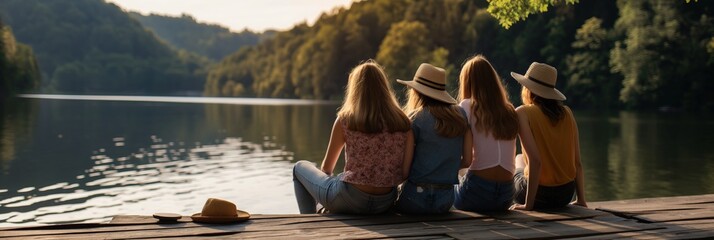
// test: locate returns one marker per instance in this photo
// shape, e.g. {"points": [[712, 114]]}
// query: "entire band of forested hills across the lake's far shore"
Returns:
{"points": [[625, 54]]}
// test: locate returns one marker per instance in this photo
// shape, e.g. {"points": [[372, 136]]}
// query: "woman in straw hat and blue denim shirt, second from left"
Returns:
{"points": [[442, 137]]}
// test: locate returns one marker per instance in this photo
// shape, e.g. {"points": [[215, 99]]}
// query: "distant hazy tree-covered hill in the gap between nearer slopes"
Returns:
{"points": [[209, 40]]}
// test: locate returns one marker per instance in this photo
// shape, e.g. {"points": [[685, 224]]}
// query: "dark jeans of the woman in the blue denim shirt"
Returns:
{"points": [[415, 199]]}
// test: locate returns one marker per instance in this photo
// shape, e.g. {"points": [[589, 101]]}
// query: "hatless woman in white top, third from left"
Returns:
{"points": [[488, 184]]}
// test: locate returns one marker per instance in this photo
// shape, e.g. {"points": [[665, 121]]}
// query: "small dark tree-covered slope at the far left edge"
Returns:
{"points": [[18, 67]]}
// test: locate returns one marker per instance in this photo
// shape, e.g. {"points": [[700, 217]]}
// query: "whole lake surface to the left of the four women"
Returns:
{"points": [[89, 161]]}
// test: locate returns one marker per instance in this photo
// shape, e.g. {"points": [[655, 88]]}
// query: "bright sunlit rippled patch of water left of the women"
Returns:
{"points": [[165, 177]]}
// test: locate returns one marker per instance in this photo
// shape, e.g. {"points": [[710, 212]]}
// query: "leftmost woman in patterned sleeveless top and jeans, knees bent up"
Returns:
{"points": [[378, 143]]}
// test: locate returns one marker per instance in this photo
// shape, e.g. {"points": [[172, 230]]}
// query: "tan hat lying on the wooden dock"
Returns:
{"points": [[220, 211]]}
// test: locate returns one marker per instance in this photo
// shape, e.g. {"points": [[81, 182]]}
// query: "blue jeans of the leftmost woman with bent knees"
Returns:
{"points": [[313, 186]]}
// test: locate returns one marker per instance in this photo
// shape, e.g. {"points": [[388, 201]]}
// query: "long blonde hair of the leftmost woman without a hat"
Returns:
{"points": [[370, 105]]}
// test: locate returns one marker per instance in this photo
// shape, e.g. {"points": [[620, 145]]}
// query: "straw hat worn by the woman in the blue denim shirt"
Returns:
{"points": [[430, 81]]}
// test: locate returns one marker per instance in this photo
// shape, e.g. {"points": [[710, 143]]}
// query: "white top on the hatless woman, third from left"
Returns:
{"points": [[487, 151]]}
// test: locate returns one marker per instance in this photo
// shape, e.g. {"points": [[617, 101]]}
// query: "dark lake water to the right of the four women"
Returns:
{"points": [[635, 155]]}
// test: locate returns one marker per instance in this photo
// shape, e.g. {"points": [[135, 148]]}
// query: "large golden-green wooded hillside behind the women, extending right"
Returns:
{"points": [[638, 54]]}
